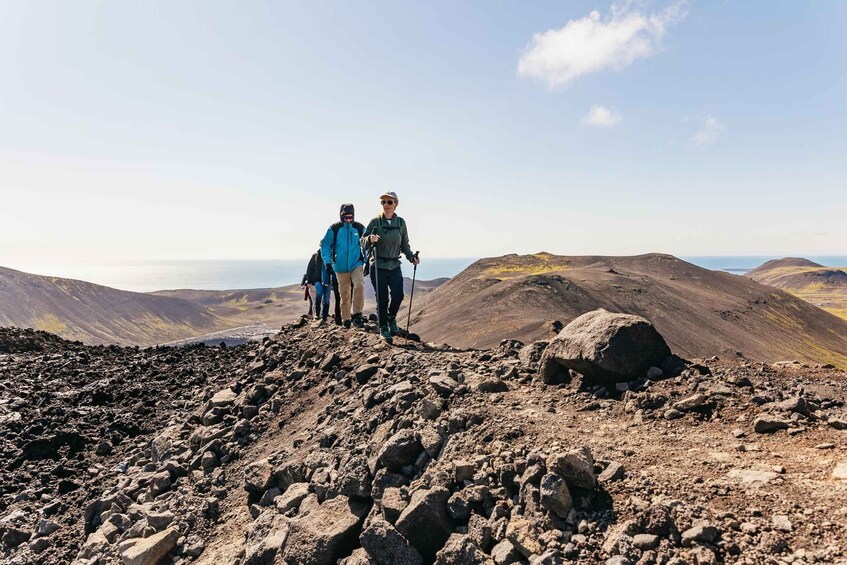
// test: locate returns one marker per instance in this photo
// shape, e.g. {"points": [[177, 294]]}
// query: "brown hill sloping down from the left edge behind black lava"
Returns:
{"points": [[98, 314]]}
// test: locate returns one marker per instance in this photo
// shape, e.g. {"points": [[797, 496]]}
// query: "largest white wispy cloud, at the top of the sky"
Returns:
{"points": [[592, 44]]}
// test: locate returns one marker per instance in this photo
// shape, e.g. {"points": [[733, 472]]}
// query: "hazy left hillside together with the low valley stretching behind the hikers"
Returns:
{"points": [[96, 314]]}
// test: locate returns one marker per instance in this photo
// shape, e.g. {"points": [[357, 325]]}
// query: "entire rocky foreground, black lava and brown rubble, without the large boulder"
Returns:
{"points": [[325, 444]]}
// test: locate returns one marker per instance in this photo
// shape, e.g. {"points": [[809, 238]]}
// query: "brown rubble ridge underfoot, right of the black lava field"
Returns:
{"points": [[329, 445]]}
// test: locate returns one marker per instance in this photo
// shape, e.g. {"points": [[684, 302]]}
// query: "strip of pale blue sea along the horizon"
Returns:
{"points": [[150, 276]]}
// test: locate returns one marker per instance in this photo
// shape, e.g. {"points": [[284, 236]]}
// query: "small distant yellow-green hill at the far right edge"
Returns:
{"points": [[825, 287]]}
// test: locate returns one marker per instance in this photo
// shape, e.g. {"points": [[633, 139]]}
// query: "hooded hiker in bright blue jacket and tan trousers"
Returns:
{"points": [[342, 255]]}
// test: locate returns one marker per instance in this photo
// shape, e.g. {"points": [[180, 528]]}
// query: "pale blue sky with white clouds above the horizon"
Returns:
{"points": [[198, 130]]}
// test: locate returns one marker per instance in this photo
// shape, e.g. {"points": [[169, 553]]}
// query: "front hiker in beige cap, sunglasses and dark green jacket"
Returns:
{"points": [[387, 236]]}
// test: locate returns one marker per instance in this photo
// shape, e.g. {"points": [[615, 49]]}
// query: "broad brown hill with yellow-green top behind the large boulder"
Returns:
{"points": [[698, 311]]}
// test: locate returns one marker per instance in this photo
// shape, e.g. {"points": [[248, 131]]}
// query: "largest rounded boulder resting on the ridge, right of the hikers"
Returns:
{"points": [[605, 347]]}
